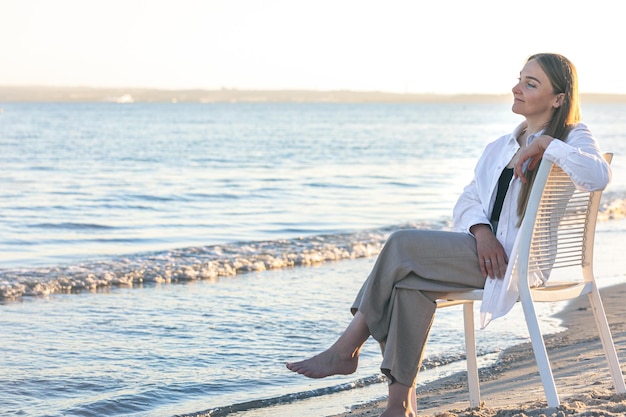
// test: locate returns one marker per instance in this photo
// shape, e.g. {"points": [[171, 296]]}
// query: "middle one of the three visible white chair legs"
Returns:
{"points": [[541, 355]]}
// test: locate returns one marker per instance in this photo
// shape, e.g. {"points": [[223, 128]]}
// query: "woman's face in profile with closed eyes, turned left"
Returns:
{"points": [[533, 95]]}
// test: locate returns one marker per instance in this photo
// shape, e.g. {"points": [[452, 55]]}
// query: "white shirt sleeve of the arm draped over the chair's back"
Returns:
{"points": [[579, 156]]}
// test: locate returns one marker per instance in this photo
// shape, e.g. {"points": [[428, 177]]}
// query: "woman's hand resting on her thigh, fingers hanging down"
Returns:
{"points": [[491, 255]]}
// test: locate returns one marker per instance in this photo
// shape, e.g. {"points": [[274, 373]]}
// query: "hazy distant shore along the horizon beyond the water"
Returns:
{"points": [[144, 95]]}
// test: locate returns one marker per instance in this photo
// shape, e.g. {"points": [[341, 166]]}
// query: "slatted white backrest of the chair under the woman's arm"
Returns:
{"points": [[559, 226]]}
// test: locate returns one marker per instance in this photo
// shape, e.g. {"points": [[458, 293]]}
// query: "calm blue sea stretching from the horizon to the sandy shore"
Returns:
{"points": [[168, 259]]}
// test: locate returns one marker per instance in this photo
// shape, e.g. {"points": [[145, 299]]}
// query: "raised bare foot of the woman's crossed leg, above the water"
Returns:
{"points": [[326, 364]]}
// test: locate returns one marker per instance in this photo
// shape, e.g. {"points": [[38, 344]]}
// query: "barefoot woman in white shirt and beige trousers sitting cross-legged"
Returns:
{"points": [[396, 304]]}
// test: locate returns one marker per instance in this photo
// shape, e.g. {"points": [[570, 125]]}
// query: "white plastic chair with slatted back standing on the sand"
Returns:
{"points": [[557, 232]]}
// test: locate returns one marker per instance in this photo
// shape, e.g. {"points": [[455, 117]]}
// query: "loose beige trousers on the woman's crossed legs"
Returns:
{"points": [[398, 297]]}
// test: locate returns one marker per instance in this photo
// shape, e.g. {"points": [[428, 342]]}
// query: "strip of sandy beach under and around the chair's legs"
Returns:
{"points": [[512, 387]]}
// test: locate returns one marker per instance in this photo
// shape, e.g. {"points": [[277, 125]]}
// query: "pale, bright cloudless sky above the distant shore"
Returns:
{"points": [[416, 46]]}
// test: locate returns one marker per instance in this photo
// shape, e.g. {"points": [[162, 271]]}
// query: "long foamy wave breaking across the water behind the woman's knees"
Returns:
{"points": [[217, 261]]}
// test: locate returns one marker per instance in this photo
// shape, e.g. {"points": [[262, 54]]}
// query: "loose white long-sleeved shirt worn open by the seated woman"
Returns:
{"points": [[579, 156]]}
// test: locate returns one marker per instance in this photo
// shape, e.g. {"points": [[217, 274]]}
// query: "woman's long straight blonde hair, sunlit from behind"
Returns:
{"points": [[564, 80]]}
